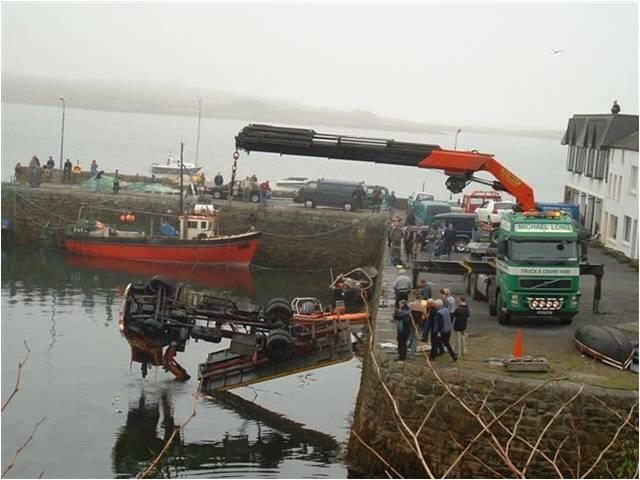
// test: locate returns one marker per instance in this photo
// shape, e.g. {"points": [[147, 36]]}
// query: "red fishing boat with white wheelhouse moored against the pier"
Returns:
{"points": [[197, 242]]}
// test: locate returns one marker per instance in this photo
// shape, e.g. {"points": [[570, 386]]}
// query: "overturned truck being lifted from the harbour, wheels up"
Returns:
{"points": [[159, 317]]}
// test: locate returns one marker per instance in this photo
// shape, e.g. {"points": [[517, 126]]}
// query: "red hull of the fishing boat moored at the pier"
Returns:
{"points": [[233, 249]]}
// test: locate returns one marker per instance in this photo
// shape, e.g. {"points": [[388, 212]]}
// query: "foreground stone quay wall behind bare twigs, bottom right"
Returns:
{"points": [[581, 430]]}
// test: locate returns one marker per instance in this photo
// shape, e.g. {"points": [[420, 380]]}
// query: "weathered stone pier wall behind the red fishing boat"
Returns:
{"points": [[293, 237]]}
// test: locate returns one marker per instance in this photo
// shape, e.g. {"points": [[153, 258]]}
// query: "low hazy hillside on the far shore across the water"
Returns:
{"points": [[176, 100]]}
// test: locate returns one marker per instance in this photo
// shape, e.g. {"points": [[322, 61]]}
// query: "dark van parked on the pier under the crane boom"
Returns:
{"points": [[330, 193]]}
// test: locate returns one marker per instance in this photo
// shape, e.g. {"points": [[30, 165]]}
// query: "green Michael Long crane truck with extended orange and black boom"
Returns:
{"points": [[535, 267]]}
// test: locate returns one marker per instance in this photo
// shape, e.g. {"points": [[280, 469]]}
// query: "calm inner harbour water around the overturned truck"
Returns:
{"points": [[104, 420]]}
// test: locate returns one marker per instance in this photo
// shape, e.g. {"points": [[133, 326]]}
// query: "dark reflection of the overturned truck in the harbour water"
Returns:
{"points": [[150, 422]]}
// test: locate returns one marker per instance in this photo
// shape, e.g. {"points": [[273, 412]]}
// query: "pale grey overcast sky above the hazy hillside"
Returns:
{"points": [[473, 63]]}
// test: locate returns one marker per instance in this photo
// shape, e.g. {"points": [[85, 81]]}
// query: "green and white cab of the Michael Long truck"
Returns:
{"points": [[537, 267]]}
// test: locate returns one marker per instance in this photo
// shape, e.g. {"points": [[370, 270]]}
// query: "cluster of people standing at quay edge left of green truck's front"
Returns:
{"points": [[418, 315]]}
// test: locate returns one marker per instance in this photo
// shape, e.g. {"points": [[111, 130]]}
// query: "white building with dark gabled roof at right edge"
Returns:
{"points": [[602, 161]]}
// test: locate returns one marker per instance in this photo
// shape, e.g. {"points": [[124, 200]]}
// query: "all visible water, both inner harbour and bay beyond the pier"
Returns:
{"points": [[103, 419]]}
